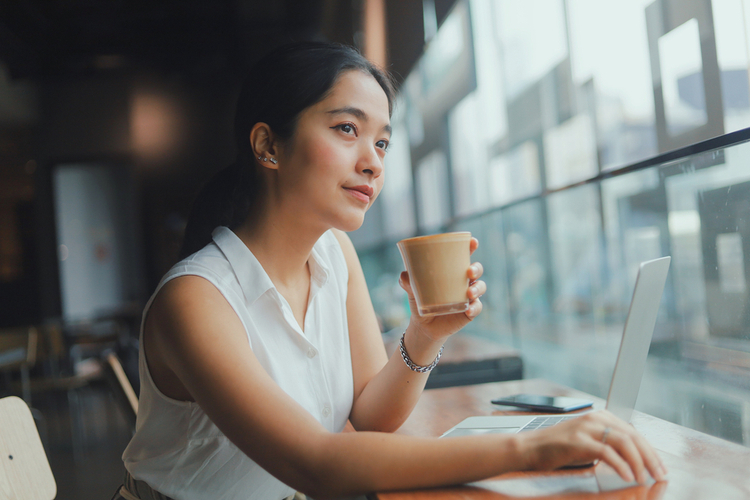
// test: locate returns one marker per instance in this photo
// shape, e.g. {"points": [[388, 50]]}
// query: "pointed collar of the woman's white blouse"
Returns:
{"points": [[251, 276]]}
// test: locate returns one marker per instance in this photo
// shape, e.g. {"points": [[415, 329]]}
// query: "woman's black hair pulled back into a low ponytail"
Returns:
{"points": [[279, 87]]}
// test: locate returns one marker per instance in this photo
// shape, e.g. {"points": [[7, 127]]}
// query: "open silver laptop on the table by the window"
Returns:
{"points": [[631, 361]]}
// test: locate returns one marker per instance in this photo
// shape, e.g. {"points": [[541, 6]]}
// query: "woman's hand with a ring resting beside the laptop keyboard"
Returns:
{"points": [[594, 436]]}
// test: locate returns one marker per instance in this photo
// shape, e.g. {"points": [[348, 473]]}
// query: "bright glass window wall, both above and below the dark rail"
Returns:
{"points": [[563, 90]]}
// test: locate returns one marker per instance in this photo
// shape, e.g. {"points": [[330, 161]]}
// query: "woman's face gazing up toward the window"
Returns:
{"points": [[332, 169]]}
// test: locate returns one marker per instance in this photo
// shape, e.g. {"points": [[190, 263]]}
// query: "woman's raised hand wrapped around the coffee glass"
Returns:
{"points": [[439, 327]]}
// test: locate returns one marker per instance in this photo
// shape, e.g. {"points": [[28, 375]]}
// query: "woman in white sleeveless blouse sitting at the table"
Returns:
{"points": [[259, 346]]}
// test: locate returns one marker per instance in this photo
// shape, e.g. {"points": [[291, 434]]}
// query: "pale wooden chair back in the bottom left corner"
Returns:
{"points": [[24, 470]]}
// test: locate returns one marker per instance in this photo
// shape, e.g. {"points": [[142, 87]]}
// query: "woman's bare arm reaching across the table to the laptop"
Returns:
{"points": [[196, 334]]}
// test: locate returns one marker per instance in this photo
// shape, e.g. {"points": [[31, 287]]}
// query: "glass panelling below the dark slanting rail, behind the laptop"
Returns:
{"points": [[560, 268]]}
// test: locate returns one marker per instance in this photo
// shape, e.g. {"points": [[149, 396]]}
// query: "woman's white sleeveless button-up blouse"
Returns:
{"points": [[176, 448]]}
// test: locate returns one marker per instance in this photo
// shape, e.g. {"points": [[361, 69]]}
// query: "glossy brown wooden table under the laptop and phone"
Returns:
{"points": [[700, 466]]}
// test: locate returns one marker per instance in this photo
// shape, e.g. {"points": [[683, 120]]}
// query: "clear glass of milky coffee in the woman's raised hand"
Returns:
{"points": [[438, 268]]}
